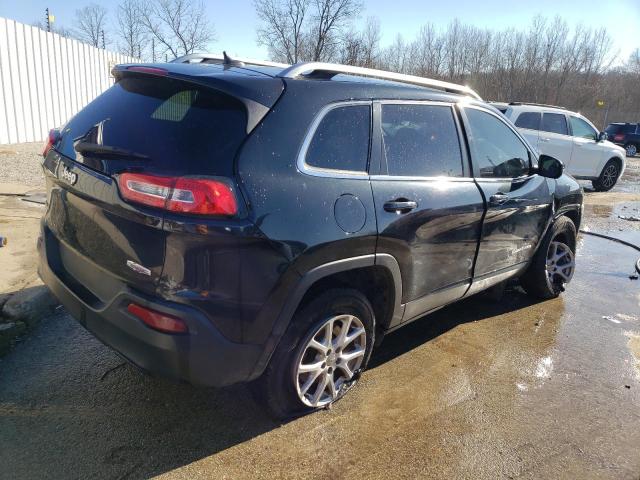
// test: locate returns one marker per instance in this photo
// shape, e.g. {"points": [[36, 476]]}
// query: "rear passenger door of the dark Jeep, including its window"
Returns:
{"points": [[428, 207]]}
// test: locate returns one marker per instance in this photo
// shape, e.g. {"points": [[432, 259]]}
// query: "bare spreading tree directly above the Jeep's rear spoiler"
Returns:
{"points": [[180, 26]]}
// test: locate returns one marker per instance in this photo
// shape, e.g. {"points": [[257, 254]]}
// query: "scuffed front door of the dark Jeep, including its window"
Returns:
{"points": [[518, 204]]}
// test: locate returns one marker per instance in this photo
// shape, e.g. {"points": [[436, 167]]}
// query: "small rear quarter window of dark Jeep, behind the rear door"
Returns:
{"points": [[341, 141]]}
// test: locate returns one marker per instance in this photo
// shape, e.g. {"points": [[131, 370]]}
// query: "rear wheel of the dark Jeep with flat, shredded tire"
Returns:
{"points": [[302, 377]]}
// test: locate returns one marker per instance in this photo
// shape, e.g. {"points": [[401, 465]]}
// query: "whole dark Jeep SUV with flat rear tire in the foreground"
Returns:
{"points": [[226, 221]]}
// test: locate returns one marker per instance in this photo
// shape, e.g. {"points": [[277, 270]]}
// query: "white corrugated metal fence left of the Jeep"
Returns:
{"points": [[45, 79]]}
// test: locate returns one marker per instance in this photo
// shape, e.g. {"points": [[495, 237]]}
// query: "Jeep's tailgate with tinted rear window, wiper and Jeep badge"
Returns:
{"points": [[143, 124]]}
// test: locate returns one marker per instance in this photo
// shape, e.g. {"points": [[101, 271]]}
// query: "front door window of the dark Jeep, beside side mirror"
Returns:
{"points": [[495, 148]]}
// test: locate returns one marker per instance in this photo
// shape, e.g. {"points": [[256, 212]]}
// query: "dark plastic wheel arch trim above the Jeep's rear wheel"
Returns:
{"points": [[371, 274]]}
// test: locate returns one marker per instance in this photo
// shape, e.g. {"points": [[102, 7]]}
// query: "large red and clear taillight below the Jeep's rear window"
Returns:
{"points": [[201, 196]]}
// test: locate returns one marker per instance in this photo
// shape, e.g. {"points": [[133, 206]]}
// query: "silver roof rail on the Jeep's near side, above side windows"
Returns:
{"points": [[328, 70]]}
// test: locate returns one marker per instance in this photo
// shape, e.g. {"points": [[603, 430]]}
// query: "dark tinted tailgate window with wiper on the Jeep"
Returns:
{"points": [[159, 124]]}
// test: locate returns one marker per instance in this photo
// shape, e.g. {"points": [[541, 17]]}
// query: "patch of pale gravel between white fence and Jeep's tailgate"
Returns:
{"points": [[20, 163]]}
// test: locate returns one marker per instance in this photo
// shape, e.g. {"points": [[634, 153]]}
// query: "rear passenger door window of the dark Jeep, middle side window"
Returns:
{"points": [[421, 140]]}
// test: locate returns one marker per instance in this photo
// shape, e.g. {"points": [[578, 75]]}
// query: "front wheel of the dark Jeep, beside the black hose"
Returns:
{"points": [[553, 264]]}
